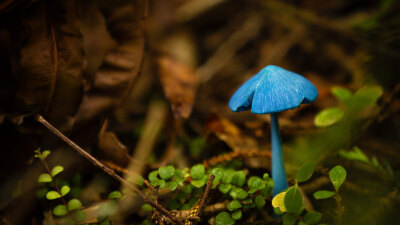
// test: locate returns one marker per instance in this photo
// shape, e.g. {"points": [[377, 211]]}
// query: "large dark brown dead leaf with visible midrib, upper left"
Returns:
{"points": [[52, 59]]}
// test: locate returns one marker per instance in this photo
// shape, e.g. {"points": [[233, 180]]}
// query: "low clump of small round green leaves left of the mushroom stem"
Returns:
{"points": [[190, 190]]}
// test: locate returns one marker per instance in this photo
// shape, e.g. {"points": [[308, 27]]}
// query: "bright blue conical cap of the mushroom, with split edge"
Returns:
{"points": [[271, 90]]}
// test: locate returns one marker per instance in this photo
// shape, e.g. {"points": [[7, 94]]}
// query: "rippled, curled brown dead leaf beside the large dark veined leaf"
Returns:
{"points": [[111, 84]]}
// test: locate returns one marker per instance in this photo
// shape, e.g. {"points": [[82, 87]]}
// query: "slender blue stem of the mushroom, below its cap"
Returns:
{"points": [[278, 166]]}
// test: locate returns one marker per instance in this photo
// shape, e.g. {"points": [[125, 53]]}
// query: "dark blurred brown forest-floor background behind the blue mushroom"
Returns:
{"points": [[149, 81]]}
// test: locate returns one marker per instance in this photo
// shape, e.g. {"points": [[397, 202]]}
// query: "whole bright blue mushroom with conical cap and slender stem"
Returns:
{"points": [[270, 91]]}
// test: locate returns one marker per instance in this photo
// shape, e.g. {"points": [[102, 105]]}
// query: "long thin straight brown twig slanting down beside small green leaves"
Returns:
{"points": [[109, 171]]}
